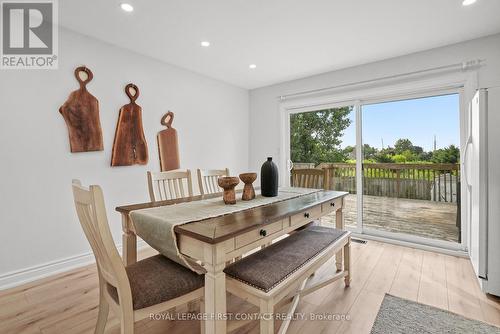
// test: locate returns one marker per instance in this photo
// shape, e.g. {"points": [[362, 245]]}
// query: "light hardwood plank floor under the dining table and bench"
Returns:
{"points": [[67, 303]]}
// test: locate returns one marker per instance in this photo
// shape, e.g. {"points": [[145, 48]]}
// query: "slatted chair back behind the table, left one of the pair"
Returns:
{"points": [[170, 185]]}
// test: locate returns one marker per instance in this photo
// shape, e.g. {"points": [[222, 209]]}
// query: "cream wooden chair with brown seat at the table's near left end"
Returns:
{"points": [[134, 292]]}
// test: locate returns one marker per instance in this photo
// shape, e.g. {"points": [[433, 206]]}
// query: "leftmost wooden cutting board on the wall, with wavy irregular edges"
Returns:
{"points": [[81, 114]]}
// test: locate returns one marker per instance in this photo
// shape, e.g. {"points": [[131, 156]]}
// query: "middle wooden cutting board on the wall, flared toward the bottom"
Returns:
{"points": [[129, 146]]}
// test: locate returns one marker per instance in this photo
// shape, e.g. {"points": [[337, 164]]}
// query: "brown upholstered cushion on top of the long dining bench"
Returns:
{"points": [[269, 267]]}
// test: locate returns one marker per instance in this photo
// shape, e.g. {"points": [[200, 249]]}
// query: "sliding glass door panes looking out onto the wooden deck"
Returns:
{"points": [[397, 159]]}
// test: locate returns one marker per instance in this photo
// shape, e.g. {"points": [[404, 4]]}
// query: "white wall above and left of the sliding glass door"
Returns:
{"points": [[264, 113]]}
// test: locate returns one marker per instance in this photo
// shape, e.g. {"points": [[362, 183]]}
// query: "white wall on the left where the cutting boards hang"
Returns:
{"points": [[37, 217]]}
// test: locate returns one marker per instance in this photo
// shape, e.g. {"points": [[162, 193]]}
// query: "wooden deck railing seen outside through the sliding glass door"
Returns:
{"points": [[434, 182]]}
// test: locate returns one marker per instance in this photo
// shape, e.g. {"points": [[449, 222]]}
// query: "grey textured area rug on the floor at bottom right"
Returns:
{"points": [[398, 315]]}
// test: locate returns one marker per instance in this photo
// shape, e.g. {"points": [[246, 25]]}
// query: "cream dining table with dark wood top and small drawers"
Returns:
{"points": [[216, 241]]}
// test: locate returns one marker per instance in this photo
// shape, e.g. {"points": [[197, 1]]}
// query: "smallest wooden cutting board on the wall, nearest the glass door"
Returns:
{"points": [[168, 148]]}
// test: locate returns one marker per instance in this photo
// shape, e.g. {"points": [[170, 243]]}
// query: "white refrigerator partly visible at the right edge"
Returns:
{"points": [[481, 169]]}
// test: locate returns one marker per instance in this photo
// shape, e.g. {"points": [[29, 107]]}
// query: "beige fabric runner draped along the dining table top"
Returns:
{"points": [[156, 225]]}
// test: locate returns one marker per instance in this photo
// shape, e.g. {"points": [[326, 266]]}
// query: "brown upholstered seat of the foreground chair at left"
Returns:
{"points": [[157, 279]]}
